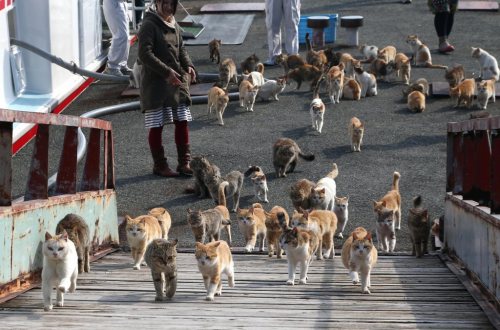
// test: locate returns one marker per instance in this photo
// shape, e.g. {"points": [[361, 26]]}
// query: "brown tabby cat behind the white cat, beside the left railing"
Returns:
{"points": [[78, 233]]}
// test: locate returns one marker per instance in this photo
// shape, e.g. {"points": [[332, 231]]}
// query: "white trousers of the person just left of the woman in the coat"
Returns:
{"points": [[115, 13]]}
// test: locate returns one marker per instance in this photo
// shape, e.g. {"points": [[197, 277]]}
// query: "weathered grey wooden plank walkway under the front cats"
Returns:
{"points": [[407, 293]]}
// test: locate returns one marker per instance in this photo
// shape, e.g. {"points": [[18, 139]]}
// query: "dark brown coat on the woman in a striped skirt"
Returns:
{"points": [[161, 48]]}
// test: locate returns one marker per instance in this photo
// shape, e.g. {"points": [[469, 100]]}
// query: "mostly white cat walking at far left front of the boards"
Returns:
{"points": [[60, 268]]}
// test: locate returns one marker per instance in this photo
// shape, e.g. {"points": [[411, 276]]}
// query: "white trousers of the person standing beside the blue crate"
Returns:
{"points": [[276, 12]]}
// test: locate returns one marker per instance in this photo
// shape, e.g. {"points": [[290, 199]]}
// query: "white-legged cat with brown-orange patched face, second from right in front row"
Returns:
{"points": [[299, 246]]}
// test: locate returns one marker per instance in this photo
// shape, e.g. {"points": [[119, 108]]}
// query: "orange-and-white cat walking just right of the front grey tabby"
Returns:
{"points": [[214, 259]]}
